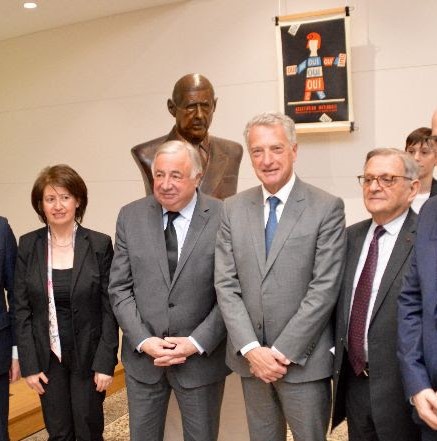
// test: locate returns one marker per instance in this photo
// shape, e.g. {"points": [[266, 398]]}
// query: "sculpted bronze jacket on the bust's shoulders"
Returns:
{"points": [[221, 174]]}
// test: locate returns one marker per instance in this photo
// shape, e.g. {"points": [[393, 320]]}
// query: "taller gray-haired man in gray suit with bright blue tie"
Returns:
{"points": [[279, 260]]}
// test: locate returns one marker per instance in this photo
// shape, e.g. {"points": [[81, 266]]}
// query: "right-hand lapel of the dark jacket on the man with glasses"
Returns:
{"points": [[401, 251]]}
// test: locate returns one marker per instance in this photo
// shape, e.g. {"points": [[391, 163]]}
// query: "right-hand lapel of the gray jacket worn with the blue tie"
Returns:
{"points": [[293, 209]]}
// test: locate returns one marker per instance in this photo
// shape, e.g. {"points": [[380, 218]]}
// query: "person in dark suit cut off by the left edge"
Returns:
{"points": [[9, 368]]}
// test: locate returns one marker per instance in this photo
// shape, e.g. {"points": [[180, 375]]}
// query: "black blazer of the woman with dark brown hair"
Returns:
{"points": [[95, 329]]}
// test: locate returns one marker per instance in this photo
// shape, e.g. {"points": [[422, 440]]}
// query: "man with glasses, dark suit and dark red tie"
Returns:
{"points": [[367, 383]]}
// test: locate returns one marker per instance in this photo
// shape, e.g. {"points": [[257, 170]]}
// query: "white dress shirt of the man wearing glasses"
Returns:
{"points": [[386, 244]]}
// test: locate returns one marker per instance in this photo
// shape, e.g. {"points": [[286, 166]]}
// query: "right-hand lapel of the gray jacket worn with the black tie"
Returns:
{"points": [[198, 221]]}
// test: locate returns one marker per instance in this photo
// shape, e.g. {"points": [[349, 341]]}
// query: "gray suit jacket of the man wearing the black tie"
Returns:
{"points": [[147, 304]]}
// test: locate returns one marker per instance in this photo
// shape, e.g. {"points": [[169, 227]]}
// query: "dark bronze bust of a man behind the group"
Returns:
{"points": [[192, 105]]}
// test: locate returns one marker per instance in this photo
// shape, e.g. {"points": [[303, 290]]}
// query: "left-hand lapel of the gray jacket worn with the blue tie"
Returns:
{"points": [[255, 222]]}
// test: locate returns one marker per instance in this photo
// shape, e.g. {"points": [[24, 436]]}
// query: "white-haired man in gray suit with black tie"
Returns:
{"points": [[162, 292]]}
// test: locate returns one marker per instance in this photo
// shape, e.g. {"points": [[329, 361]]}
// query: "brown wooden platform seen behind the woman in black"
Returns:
{"points": [[25, 415]]}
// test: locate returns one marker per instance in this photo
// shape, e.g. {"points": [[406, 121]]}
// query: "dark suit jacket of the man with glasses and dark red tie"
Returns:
{"points": [[390, 410]]}
